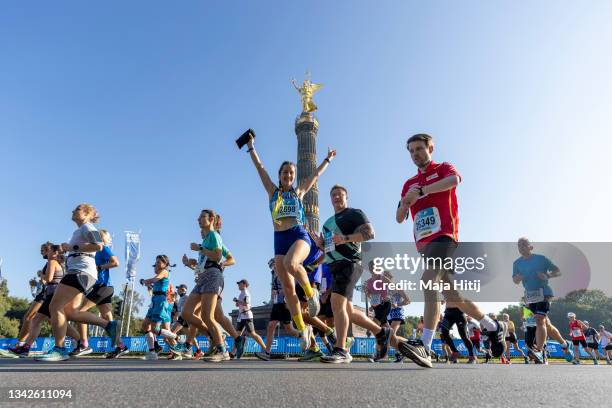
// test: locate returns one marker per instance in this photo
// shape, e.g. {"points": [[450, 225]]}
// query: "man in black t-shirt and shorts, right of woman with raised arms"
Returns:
{"points": [[341, 238]]}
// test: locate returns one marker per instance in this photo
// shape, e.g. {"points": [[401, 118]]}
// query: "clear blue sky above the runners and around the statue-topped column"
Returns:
{"points": [[134, 107]]}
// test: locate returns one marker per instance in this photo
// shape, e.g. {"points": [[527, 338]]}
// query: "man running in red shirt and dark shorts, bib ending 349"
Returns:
{"points": [[431, 199]]}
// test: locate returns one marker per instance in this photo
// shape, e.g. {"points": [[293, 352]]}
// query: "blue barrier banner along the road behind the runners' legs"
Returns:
{"points": [[363, 346]]}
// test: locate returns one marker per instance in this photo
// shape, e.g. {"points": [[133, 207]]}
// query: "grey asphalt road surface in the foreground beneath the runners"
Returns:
{"points": [[253, 383]]}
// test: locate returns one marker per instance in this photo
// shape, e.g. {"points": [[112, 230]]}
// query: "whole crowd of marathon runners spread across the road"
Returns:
{"points": [[314, 275]]}
